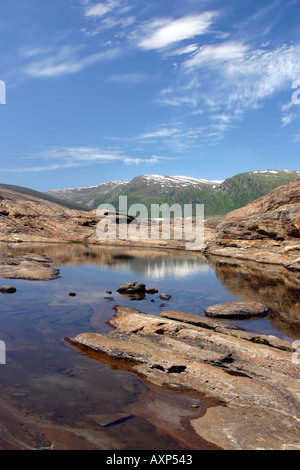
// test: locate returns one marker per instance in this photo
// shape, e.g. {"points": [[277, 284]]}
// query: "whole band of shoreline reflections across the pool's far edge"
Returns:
{"points": [[271, 285]]}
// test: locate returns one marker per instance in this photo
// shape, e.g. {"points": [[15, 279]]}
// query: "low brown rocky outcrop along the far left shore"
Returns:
{"points": [[25, 218]]}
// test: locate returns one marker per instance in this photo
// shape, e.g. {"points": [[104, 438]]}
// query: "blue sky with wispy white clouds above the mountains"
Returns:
{"points": [[106, 91]]}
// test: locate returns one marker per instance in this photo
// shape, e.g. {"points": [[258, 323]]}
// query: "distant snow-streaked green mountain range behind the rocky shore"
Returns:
{"points": [[219, 197]]}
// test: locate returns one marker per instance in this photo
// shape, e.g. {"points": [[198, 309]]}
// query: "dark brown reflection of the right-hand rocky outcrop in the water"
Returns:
{"points": [[271, 285]]}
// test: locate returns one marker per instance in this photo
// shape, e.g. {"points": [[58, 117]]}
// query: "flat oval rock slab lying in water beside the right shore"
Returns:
{"points": [[237, 311]]}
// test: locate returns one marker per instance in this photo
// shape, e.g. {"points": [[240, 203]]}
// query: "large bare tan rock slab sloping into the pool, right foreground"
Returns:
{"points": [[234, 368]]}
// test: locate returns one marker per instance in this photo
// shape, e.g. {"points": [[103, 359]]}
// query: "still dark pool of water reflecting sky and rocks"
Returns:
{"points": [[54, 396]]}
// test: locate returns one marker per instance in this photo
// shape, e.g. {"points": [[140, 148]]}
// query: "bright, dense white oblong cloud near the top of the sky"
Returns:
{"points": [[161, 33]]}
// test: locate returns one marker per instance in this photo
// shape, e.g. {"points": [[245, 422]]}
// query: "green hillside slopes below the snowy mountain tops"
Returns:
{"points": [[232, 194]]}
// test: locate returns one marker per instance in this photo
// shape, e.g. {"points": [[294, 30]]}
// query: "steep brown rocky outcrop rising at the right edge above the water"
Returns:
{"points": [[265, 231]]}
